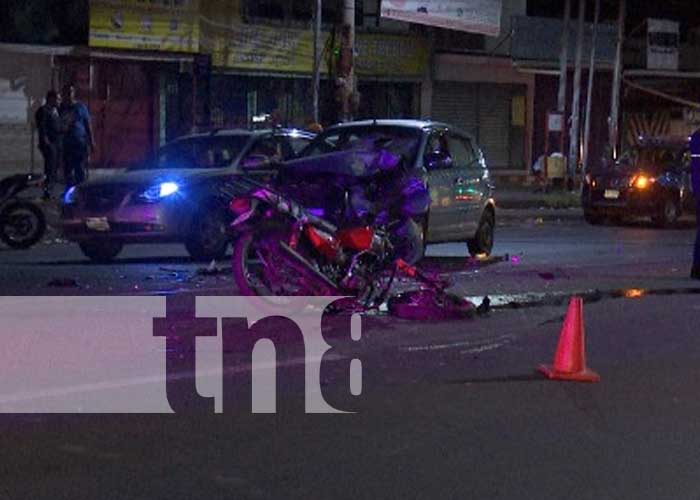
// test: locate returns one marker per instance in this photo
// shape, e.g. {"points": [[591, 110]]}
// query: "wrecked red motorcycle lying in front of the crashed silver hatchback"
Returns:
{"points": [[283, 248]]}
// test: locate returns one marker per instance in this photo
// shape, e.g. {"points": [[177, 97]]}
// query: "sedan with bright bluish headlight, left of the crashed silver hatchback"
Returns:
{"points": [[178, 195]]}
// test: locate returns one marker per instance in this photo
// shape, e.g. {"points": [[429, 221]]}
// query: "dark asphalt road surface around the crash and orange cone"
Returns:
{"points": [[447, 410]]}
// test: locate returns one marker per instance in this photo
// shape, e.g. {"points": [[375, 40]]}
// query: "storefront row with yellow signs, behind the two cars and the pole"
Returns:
{"points": [[155, 72]]}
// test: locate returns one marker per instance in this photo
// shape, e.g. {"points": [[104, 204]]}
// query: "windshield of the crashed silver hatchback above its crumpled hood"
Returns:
{"points": [[399, 140]]}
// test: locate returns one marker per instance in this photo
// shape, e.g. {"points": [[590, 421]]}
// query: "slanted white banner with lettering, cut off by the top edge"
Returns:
{"points": [[472, 16]]}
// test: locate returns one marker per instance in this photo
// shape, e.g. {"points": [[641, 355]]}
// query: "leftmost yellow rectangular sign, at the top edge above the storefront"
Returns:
{"points": [[164, 25]]}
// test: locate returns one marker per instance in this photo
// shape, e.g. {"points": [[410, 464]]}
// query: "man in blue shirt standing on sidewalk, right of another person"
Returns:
{"points": [[78, 139]]}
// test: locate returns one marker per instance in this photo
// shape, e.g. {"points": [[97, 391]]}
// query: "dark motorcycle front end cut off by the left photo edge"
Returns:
{"points": [[22, 222]]}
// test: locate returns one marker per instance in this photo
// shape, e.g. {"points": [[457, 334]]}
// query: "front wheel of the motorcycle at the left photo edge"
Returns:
{"points": [[22, 224]]}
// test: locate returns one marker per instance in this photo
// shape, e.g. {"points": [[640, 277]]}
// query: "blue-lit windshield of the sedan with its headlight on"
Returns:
{"points": [[198, 153]]}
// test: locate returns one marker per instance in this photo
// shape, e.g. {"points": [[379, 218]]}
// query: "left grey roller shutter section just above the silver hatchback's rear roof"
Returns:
{"points": [[456, 104]]}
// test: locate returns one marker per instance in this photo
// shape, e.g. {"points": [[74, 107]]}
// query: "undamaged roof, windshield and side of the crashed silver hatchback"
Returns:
{"points": [[452, 166]]}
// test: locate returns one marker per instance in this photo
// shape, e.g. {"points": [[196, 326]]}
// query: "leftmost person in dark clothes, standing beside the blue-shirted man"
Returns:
{"points": [[48, 124]]}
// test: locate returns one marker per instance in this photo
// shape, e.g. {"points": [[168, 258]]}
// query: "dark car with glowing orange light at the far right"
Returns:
{"points": [[650, 180]]}
